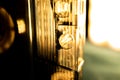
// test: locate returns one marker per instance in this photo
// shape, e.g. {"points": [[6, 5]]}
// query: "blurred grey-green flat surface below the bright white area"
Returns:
{"points": [[100, 63]]}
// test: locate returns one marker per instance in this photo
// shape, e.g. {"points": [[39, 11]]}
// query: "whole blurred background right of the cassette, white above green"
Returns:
{"points": [[102, 48]]}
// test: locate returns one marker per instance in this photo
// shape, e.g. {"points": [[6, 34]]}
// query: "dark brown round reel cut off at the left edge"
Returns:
{"points": [[7, 33]]}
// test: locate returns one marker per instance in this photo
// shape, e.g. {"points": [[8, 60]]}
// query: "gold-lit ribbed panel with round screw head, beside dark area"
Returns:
{"points": [[60, 31]]}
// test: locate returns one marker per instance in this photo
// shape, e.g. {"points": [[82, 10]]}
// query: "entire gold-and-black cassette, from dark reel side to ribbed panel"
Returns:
{"points": [[51, 31]]}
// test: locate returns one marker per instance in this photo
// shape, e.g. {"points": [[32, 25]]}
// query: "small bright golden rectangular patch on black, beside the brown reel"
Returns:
{"points": [[21, 26]]}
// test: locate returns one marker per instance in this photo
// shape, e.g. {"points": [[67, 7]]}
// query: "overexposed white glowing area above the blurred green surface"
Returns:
{"points": [[104, 22]]}
